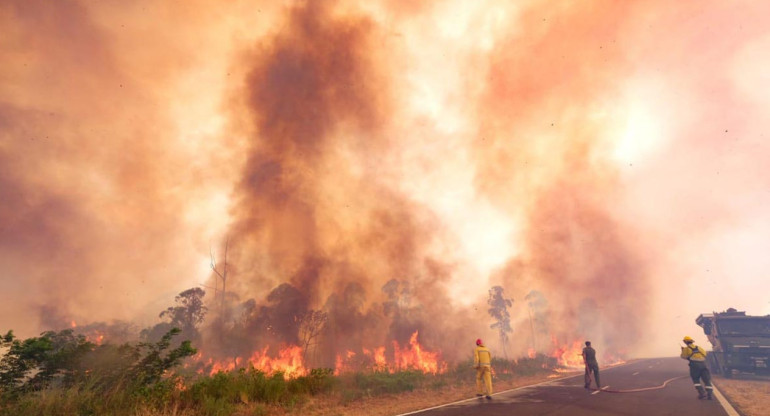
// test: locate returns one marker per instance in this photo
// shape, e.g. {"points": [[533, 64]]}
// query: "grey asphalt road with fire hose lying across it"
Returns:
{"points": [[664, 391]]}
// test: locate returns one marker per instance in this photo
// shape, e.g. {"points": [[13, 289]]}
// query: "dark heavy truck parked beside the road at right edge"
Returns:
{"points": [[741, 343]]}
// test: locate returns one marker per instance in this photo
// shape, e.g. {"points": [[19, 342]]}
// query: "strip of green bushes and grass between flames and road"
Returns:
{"points": [[60, 373]]}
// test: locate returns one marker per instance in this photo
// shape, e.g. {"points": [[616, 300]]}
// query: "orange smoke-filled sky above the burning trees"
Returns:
{"points": [[611, 155]]}
